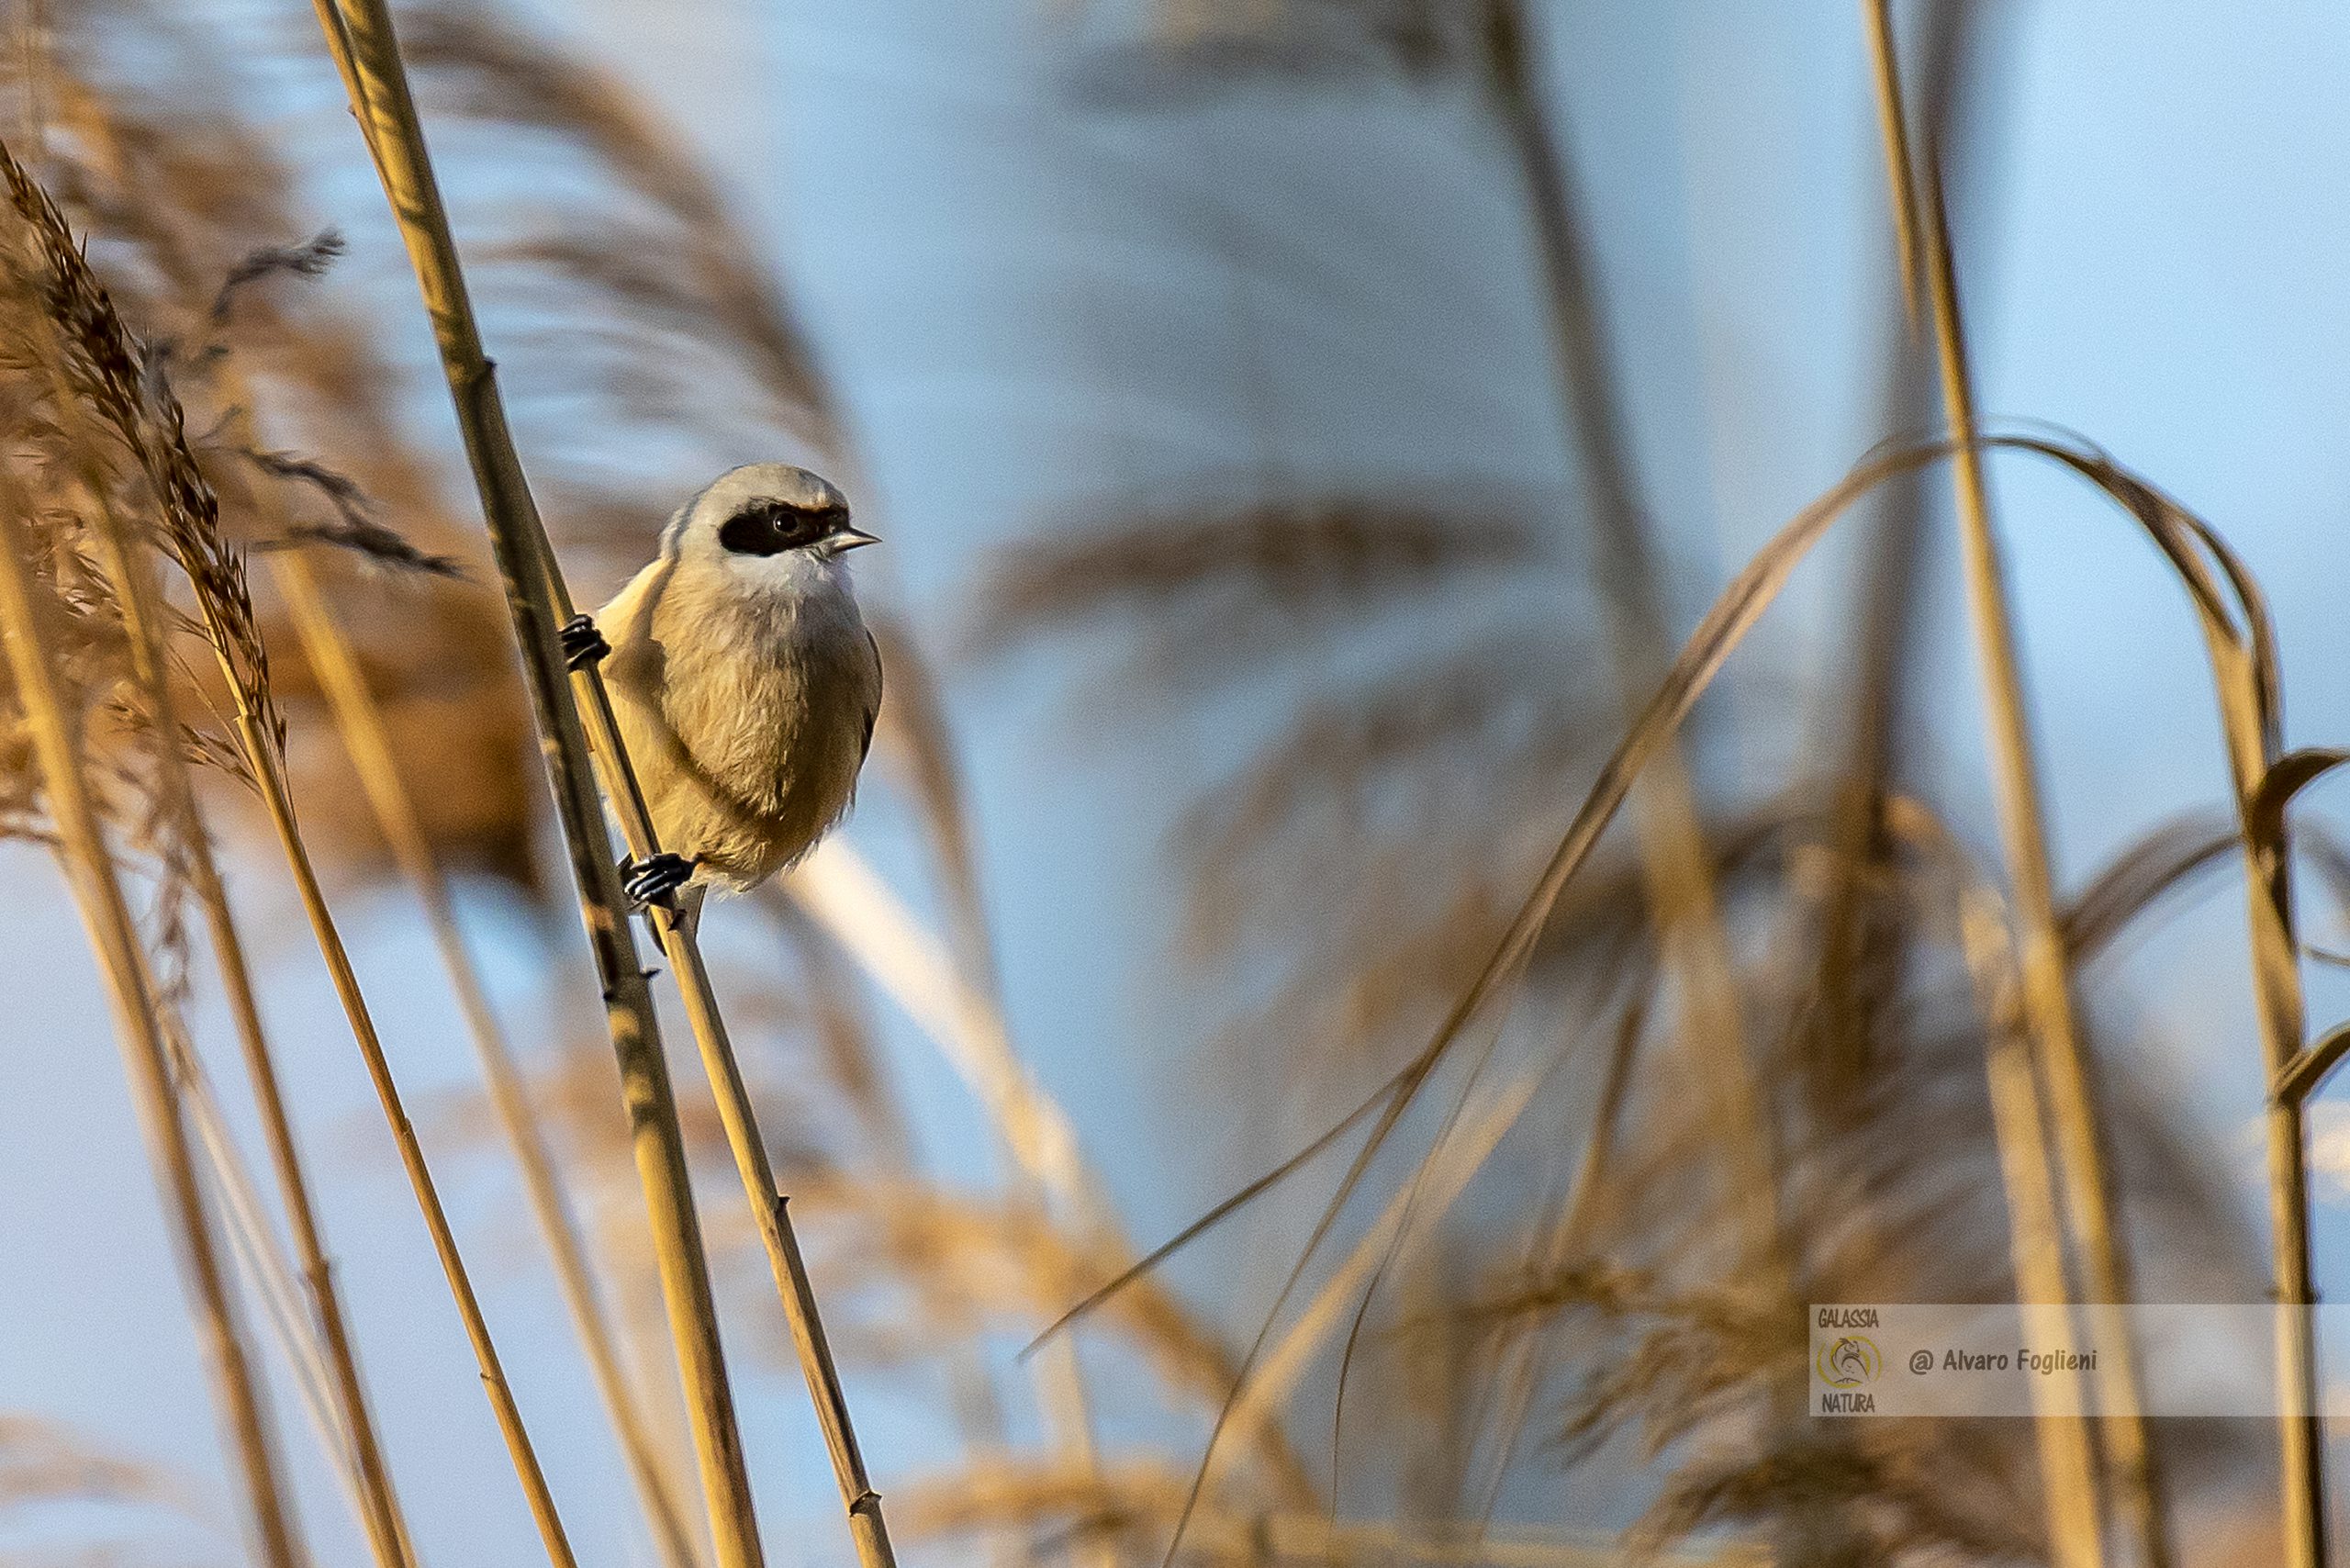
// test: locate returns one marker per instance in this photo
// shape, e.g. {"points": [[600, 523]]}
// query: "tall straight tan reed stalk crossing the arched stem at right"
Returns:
{"points": [[2048, 993]]}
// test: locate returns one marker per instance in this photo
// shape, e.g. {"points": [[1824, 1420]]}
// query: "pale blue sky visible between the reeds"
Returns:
{"points": [[1028, 304]]}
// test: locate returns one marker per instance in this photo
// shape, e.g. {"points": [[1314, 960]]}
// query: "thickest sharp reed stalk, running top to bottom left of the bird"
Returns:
{"points": [[368, 55]]}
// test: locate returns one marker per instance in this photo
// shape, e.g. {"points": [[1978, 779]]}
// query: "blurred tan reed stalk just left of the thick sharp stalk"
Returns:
{"points": [[365, 737]]}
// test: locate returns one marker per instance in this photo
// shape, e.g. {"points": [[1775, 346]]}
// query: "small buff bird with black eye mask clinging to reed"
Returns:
{"points": [[744, 681]]}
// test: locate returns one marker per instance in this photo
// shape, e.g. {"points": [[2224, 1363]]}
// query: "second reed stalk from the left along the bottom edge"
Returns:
{"points": [[135, 596]]}
